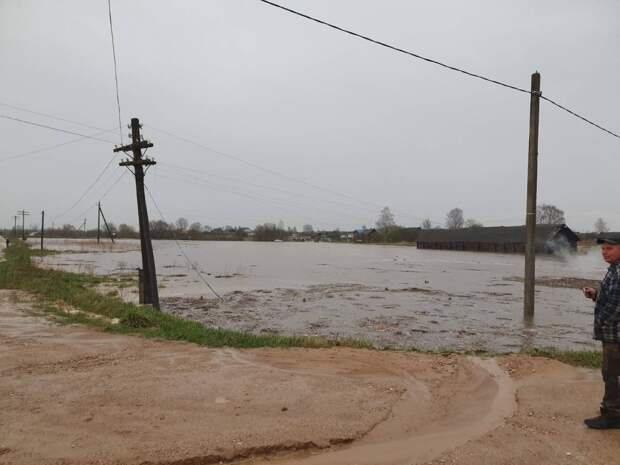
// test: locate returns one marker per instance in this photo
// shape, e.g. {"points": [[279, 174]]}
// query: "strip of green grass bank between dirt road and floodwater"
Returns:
{"points": [[59, 290]]}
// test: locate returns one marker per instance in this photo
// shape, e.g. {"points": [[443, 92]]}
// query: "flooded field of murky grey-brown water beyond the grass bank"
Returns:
{"points": [[390, 295]]}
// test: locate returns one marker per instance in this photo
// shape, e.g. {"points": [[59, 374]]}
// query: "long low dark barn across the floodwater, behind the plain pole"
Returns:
{"points": [[550, 238]]}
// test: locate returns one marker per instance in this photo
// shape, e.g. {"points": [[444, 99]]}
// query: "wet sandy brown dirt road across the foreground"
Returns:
{"points": [[72, 395]]}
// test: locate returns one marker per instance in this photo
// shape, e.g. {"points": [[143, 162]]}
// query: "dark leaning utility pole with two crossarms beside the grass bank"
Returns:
{"points": [[151, 295]]}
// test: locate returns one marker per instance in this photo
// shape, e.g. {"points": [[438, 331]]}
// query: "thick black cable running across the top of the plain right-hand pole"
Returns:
{"points": [[435, 62]]}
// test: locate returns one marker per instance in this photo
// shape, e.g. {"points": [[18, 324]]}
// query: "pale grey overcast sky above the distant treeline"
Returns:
{"points": [[320, 107]]}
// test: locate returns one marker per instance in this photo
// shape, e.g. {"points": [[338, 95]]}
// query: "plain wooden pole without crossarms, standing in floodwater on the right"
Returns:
{"points": [[530, 212]]}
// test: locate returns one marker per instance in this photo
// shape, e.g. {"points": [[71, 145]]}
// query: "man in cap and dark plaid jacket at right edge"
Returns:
{"points": [[606, 321]]}
